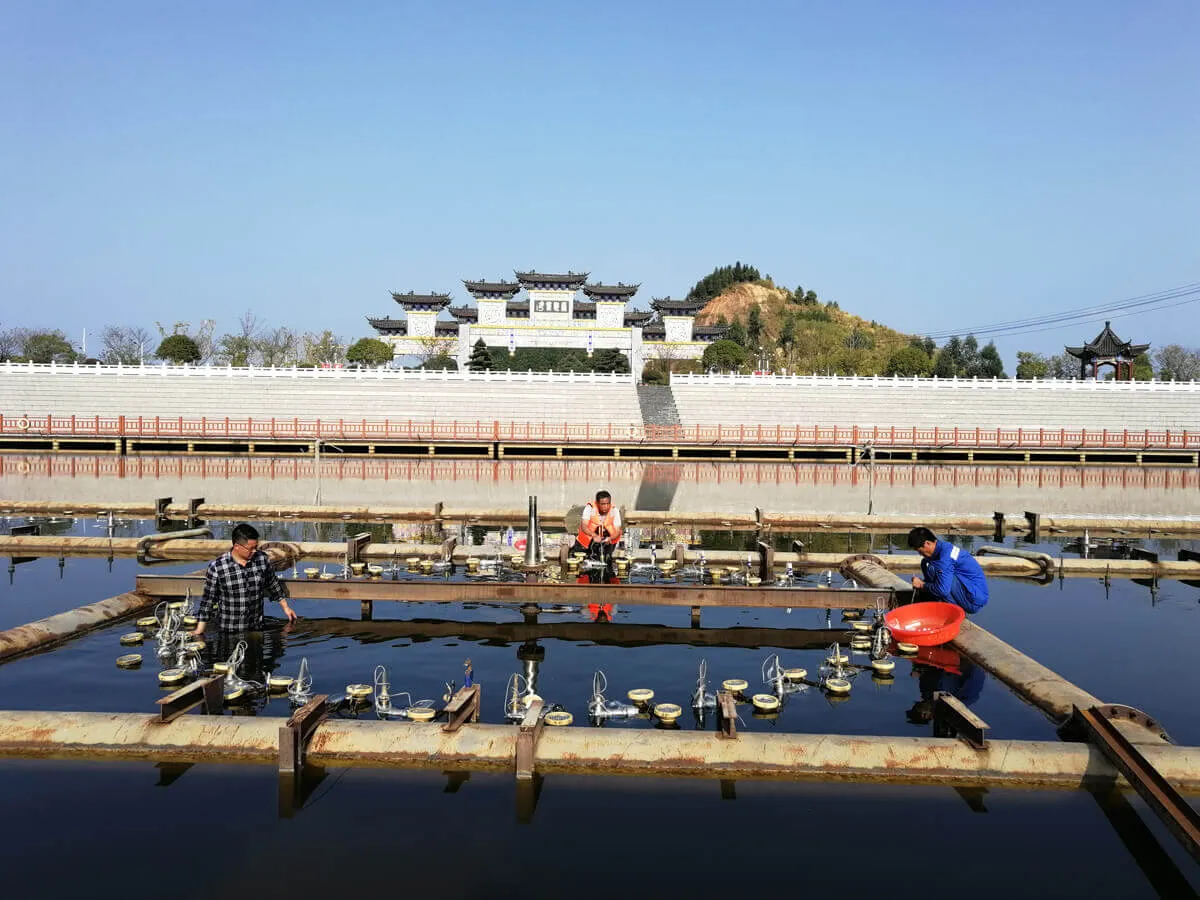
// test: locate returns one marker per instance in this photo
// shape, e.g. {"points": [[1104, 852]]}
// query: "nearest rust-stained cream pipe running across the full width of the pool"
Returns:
{"points": [[361, 743]]}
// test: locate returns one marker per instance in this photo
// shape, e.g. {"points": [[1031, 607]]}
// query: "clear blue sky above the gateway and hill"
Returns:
{"points": [[931, 165]]}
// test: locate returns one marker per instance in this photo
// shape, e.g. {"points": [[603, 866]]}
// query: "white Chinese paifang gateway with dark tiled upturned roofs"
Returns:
{"points": [[551, 316]]}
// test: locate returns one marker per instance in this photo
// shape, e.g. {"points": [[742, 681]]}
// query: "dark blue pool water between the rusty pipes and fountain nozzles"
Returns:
{"points": [[362, 831]]}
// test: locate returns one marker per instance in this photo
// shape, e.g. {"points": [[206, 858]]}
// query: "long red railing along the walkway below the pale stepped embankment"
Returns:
{"points": [[266, 429]]}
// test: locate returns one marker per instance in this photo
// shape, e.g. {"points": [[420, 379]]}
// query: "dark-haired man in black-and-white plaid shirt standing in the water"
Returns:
{"points": [[236, 585]]}
